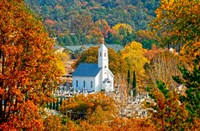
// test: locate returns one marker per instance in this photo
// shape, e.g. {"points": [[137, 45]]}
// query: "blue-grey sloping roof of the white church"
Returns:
{"points": [[87, 69]]}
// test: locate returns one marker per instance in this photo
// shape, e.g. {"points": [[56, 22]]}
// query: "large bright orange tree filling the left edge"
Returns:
{"points": [[29, 72]]}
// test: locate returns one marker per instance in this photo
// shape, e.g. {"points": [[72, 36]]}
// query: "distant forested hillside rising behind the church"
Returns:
{"points": [[76, 22]]}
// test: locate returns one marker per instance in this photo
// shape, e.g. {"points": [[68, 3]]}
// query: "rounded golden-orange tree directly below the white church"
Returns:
{"points": [[89, 108]]}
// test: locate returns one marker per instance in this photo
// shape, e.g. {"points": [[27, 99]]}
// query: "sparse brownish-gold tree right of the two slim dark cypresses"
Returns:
{"points": [[162, 67]]}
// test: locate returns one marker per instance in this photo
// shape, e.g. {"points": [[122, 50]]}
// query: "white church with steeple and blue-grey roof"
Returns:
{"points": [[93, 77]]}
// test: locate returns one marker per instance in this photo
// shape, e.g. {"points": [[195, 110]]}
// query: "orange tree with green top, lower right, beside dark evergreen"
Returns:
{"points": [[169, 113]]}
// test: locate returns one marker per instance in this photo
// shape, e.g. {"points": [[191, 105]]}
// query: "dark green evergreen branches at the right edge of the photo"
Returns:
{"points": [[191, 80]]}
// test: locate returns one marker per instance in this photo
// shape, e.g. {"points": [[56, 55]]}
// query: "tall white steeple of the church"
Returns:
{"points": [[103, 57]]}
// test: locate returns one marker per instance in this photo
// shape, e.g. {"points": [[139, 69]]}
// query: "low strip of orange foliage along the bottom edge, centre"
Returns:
{"points": [[116, 124]]}
